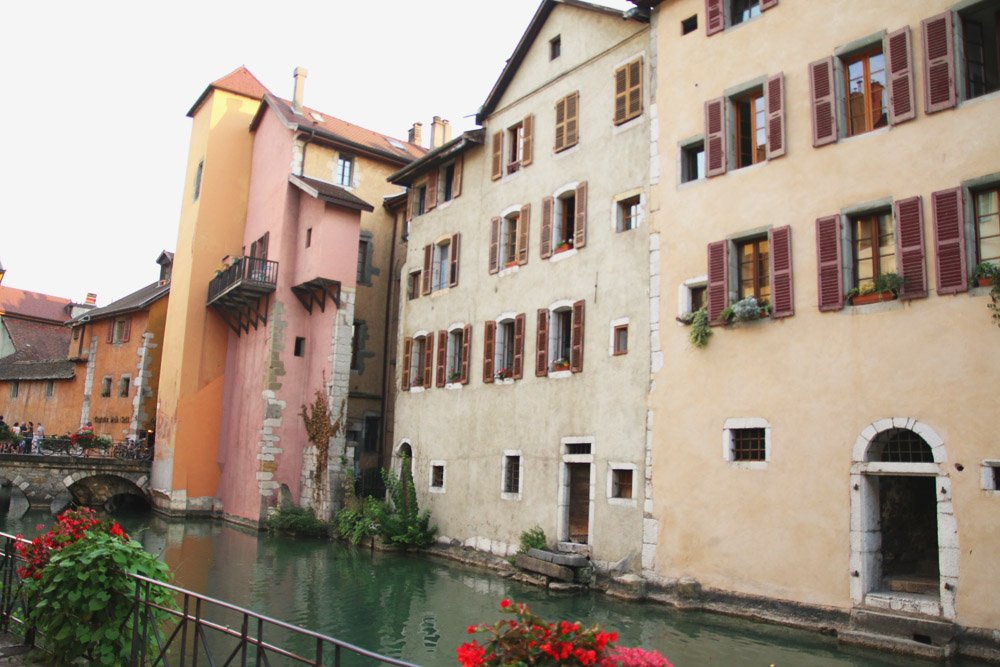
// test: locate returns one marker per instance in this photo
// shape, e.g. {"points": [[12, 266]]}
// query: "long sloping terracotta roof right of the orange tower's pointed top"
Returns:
{"points": [[339, 130]]}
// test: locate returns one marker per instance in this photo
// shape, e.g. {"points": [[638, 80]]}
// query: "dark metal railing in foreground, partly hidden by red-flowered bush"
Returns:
{"points": [[185, 634]]}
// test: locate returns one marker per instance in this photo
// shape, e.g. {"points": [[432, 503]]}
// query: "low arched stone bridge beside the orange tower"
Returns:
{"points": [[89, 481]]}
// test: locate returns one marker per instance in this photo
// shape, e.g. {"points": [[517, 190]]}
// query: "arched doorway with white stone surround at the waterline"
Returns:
{"points": [[904, 540]]}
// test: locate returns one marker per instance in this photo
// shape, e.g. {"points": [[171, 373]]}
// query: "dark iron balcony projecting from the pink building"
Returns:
{"points": [[237, 293]]}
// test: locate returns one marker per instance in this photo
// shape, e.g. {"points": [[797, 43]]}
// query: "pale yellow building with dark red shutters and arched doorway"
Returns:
{"points": [[807, 158]]}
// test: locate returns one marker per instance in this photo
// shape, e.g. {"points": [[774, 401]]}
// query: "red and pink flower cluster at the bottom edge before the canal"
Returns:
{"points": [[530, 640]]}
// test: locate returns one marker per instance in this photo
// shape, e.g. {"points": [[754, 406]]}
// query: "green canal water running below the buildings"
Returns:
{"points": [[417, 608]]}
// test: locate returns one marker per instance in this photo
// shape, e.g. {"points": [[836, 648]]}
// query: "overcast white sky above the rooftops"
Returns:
{"points": [[93, 132]]}
